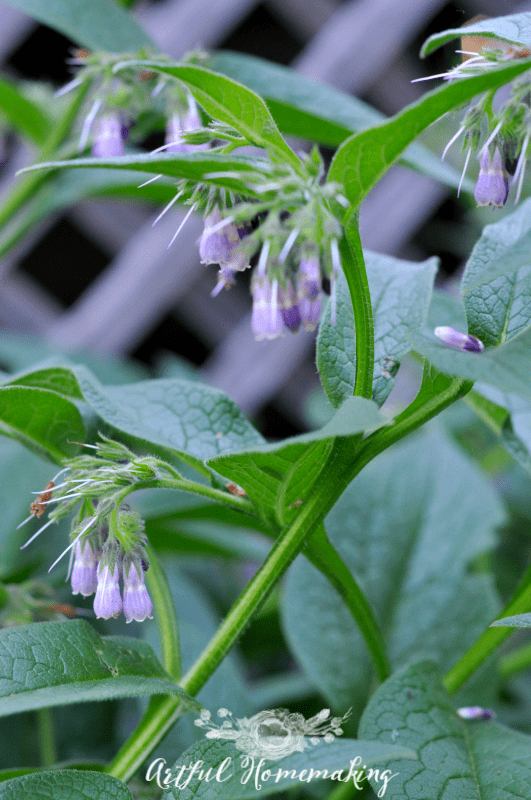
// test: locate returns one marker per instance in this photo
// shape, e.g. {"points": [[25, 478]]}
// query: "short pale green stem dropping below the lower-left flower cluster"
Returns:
{"points": [[164, 613]]}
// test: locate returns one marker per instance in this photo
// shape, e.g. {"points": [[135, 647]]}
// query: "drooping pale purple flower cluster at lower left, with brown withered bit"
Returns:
{"points": [[108, 541]]}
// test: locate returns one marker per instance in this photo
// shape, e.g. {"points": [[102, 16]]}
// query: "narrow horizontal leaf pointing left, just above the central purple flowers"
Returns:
{"points": [[192, 166]]}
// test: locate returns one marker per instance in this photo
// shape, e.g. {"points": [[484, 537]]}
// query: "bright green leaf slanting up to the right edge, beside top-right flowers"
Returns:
{"points": [[364, 158]]}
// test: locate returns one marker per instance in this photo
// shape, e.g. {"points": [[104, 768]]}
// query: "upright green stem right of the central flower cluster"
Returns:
{"points": [[356, 275]]}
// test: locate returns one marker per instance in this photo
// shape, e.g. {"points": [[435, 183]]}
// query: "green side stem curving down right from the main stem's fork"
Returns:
{"points": [[323, 555]]}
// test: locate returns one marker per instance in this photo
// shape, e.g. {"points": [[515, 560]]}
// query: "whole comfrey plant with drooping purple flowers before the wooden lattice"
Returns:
{"points": [[401, 598]]}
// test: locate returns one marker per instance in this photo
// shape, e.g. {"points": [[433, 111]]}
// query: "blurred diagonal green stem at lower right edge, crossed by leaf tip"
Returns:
{"points": [[491, 638]]}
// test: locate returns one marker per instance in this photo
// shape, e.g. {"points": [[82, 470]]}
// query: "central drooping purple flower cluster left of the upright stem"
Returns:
{"points": [[285, 221]]}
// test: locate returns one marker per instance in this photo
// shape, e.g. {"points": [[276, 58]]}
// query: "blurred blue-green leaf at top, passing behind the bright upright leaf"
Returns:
{"points": [[311, 110]]}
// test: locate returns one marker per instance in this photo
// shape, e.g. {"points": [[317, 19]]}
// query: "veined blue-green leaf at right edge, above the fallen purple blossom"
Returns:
{"points": [[497, 282]]}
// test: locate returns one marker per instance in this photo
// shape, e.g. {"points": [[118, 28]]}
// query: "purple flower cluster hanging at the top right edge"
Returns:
{"points": [[508, 129]]}
